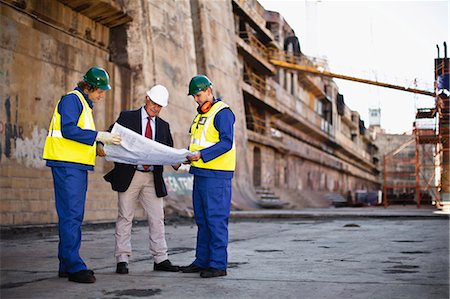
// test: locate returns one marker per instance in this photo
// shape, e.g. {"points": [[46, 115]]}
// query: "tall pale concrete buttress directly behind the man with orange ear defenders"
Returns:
{"points": [[214, 32]]}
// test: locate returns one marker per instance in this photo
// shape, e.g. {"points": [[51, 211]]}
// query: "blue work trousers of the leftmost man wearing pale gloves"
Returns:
{"points": [[70, 195]]}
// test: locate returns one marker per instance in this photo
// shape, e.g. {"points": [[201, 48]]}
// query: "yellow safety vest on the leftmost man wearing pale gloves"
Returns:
{"points": [[62, 149]]}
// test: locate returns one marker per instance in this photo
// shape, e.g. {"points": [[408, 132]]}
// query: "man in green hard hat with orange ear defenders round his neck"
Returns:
{"points": [[213, 162]]}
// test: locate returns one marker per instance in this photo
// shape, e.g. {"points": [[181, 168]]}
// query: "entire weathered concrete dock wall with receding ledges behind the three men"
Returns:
{"points": [[46, 47]]}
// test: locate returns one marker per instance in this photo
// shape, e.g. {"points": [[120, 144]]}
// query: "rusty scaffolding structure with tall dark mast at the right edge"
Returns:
{"points": [[432, 155]]}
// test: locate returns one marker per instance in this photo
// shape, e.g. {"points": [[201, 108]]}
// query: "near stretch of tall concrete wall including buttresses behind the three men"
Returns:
{"points": [[46, 47]]}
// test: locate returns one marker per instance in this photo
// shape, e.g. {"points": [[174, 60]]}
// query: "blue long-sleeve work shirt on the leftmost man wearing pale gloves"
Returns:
{"points": [[70, 109]]}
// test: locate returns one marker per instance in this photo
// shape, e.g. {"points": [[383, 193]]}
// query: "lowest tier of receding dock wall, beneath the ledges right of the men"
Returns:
{"points": [[304, 181]]}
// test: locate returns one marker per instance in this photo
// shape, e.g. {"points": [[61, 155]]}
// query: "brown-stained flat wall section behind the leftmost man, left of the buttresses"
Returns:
{"points": [[40, 61]]}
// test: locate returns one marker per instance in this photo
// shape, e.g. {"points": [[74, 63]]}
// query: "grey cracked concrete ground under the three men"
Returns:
{"points": [[319, 253]]}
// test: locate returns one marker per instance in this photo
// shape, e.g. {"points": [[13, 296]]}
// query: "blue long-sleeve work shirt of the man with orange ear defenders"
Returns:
{"points": [[224, 123]]}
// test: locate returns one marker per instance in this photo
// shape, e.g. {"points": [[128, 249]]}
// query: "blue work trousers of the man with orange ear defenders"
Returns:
{"points": [[211, 201]]}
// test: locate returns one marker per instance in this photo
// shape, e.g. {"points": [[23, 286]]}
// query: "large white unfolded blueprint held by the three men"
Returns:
{"points": [[136, 149]]}
